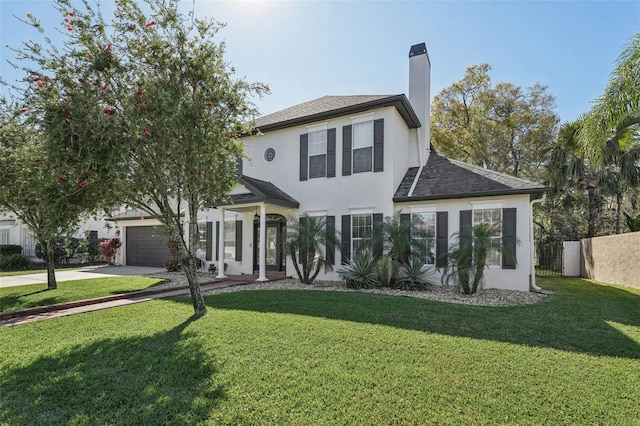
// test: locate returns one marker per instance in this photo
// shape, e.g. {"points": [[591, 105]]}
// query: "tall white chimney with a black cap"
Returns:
{"points": [[420, 95]]}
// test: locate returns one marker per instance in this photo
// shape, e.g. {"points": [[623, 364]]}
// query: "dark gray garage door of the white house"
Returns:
{"points": [[146, 246]]}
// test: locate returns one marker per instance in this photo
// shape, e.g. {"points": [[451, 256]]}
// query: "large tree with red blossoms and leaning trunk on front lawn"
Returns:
{"points": [[150, 102]]}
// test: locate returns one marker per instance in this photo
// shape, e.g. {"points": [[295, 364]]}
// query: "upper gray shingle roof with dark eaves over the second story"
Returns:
{"points": [[334, 106]]}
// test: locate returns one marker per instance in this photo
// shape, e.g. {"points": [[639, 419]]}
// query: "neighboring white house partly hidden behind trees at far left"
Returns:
{"points": [[13, 231]]}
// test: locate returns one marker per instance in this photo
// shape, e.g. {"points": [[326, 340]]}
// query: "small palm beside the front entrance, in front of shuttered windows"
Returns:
{"points": [[307, 241]]}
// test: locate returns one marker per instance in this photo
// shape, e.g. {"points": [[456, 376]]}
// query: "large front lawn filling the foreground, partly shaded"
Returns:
{"points": [[312, 357]]}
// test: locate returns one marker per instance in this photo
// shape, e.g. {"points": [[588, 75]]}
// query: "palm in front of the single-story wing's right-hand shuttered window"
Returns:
{"points": [[467, 259]]}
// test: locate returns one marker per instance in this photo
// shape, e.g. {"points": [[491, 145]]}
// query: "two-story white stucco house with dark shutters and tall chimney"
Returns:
{"points": [[354, 160]]}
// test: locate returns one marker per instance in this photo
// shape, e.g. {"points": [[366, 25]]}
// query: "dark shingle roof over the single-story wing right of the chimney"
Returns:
{"points": [[442, 178]]}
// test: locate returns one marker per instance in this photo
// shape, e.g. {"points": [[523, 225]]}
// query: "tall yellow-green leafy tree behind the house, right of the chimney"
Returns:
{"points": [[502, 127]]}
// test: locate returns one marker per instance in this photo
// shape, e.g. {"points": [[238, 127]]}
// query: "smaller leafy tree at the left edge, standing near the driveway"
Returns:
{"points": [[49, 199]]}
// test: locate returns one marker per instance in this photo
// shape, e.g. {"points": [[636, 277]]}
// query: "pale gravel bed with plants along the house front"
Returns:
{"points": [[441, 293]]}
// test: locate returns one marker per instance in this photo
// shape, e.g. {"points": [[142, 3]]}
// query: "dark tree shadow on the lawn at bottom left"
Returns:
{"points": [[165, 378]]}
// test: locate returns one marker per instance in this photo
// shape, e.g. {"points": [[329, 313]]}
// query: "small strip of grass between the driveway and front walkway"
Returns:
{"points": [[29, 296]]}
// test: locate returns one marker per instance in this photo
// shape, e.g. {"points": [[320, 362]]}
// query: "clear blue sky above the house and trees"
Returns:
{"points": [[305, 50]]}
